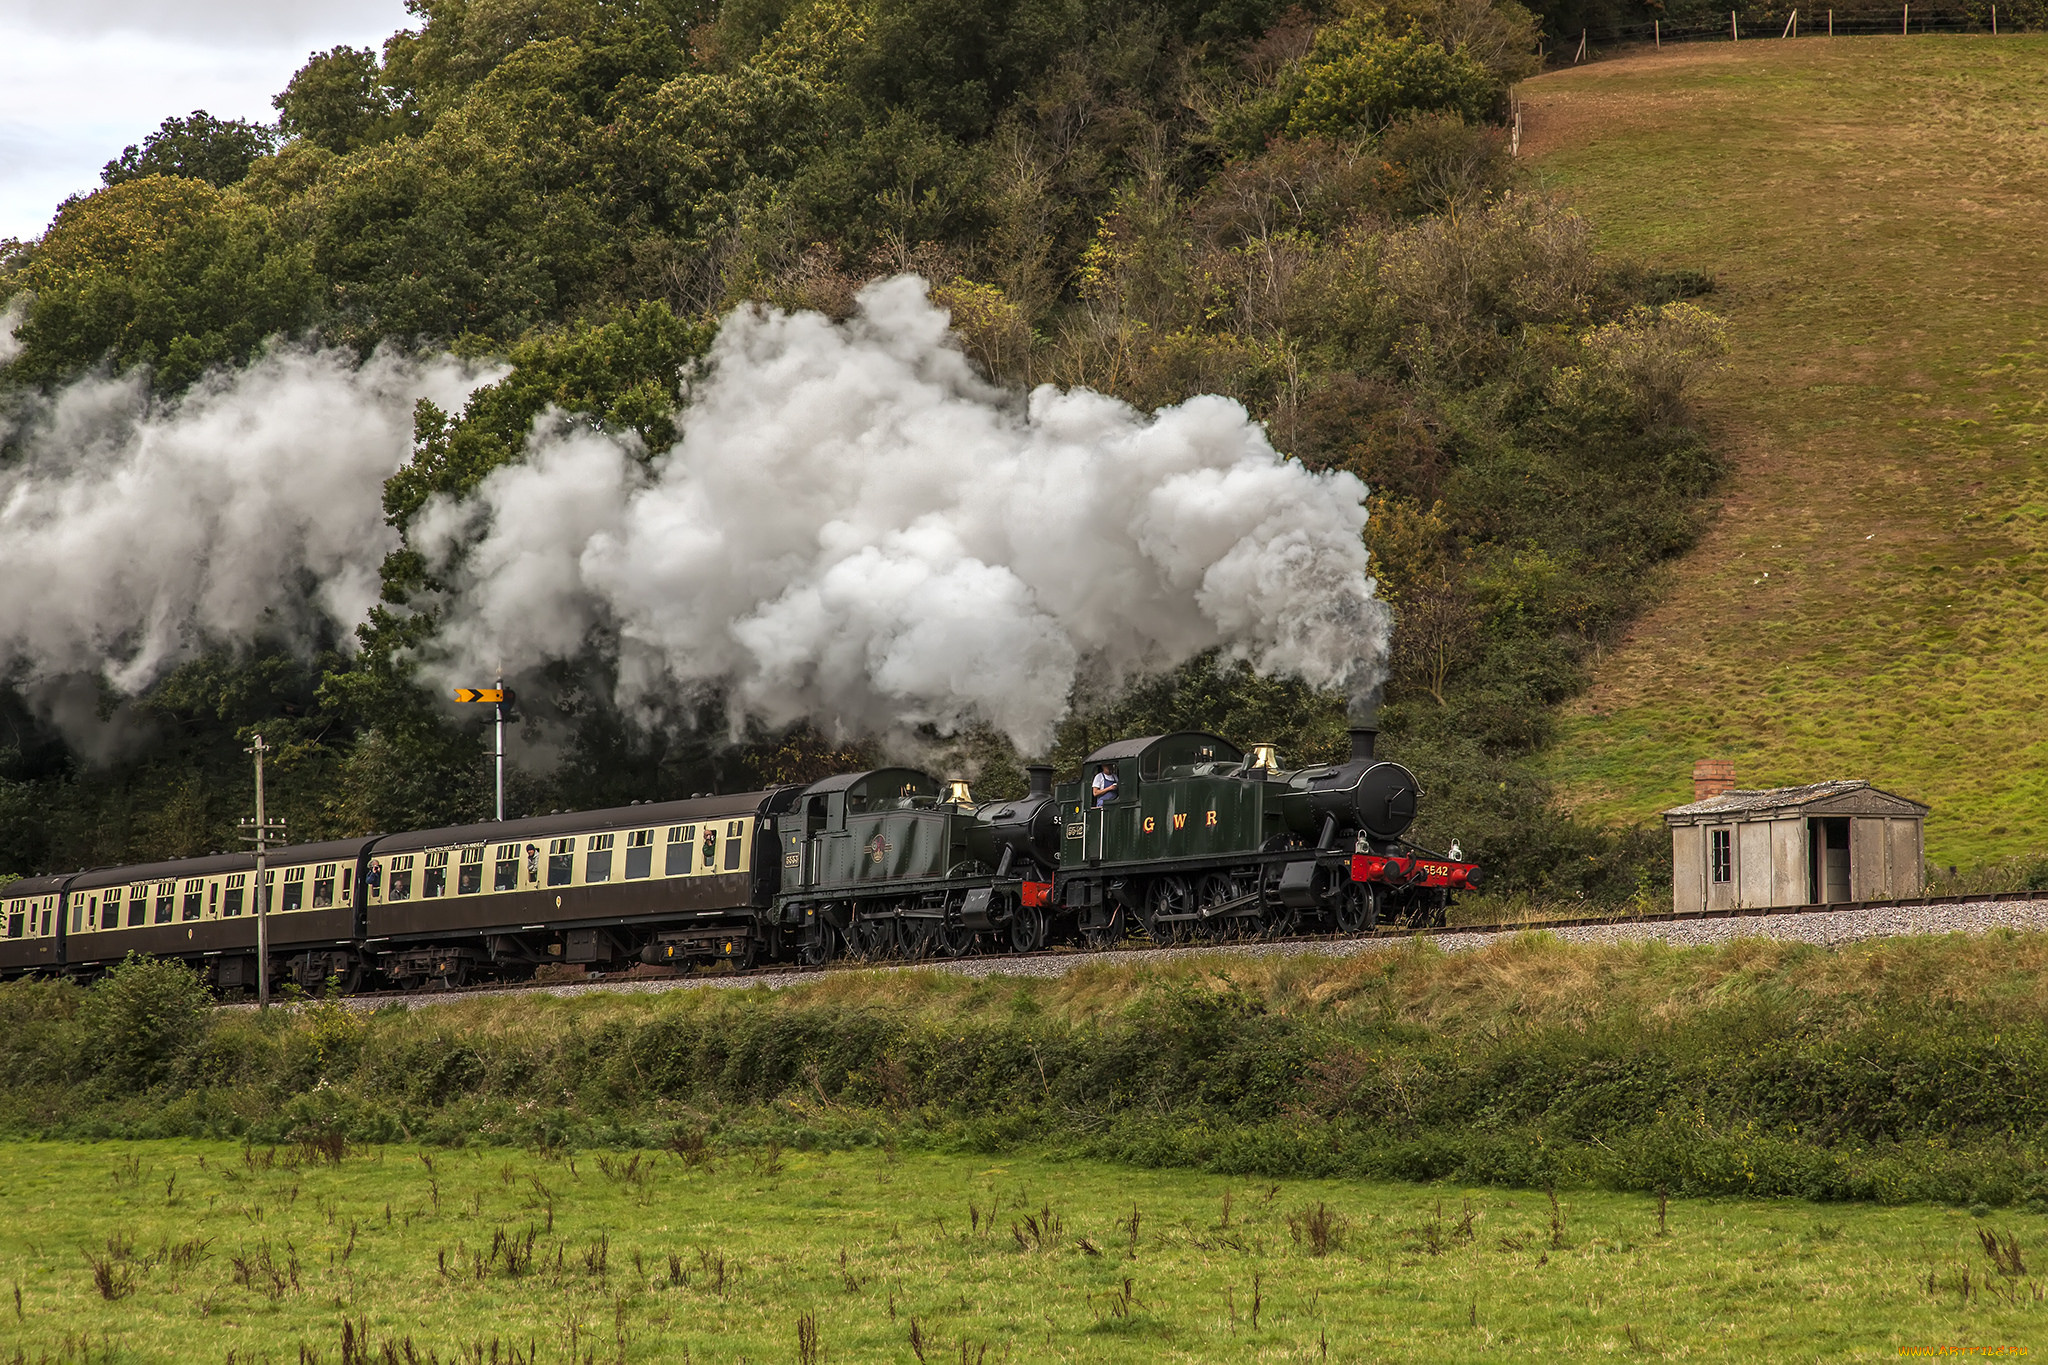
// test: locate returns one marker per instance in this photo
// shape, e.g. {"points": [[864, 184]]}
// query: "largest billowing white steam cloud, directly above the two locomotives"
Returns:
{"points": [[859, 531]]}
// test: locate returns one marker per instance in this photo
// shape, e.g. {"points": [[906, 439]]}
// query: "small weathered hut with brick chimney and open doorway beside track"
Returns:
{"points": [[1822, 844]]}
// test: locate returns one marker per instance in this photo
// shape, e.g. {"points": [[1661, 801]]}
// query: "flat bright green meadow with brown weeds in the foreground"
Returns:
{"points": [[226, 1253]]}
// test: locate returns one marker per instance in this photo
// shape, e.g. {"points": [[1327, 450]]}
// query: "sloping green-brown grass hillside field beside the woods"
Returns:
{"points": [[1873, 599]]}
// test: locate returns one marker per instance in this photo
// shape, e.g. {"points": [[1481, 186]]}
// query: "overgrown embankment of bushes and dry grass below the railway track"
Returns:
{"points": [[1891, 1069]]}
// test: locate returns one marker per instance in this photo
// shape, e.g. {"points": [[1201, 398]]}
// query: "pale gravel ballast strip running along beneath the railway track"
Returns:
{"points": [[1822, 924]]}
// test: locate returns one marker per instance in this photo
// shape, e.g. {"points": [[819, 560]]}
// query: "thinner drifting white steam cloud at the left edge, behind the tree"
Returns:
{"points": [[136, 533]]}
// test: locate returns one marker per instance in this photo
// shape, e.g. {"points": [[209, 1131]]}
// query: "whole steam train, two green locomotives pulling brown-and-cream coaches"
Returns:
{"points": [[1193, 840]]}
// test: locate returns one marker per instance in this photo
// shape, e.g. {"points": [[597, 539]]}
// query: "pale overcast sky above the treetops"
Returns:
{"points": [[85, 79]]}
